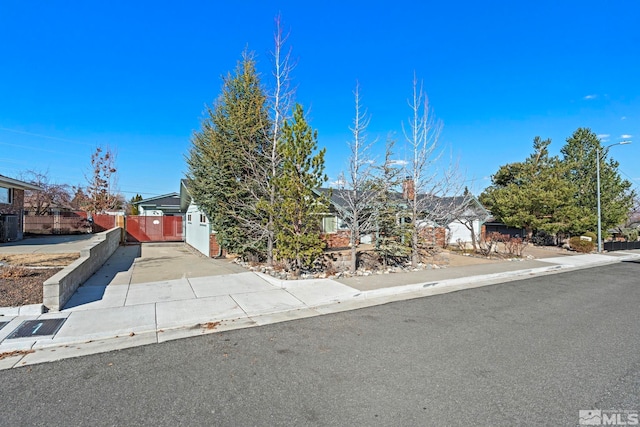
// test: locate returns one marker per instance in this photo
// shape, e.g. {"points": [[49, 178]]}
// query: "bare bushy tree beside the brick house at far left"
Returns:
{"points": [[52, 195]]}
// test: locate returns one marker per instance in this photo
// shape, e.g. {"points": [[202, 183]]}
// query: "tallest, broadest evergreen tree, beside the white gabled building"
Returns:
{"points": [[223, 174]]}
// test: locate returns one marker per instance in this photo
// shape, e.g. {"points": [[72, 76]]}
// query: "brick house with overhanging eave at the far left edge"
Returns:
{"points": [[12, 207]]}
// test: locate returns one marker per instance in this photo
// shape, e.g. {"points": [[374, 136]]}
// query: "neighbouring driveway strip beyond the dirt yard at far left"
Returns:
{"points": [[47, 244]]}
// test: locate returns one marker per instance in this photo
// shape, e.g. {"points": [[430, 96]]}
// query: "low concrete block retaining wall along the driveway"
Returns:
{"points": [[60, 287]]}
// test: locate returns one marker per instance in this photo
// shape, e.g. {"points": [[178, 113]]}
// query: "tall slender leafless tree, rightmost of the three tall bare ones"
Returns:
{"points": [[427, 180]]}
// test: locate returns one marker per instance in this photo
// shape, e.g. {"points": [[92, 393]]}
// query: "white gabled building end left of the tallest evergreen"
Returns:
{"points": [[197, 228]]}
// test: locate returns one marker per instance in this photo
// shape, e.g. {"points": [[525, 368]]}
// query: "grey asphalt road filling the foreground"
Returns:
{"points": [[532, 352]]}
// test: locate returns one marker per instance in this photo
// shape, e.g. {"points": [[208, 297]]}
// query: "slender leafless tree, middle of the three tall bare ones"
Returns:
{"points": [[357, 194]]}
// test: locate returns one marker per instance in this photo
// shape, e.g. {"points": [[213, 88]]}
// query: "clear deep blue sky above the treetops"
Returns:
{"points": [[136, 75]]}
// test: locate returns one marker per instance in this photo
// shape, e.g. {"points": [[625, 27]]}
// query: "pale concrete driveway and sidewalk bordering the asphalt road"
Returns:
{"points": [[117, 309]]}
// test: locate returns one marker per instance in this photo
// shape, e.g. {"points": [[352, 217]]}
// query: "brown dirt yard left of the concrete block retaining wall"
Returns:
{"points": [[22, 276]]}
